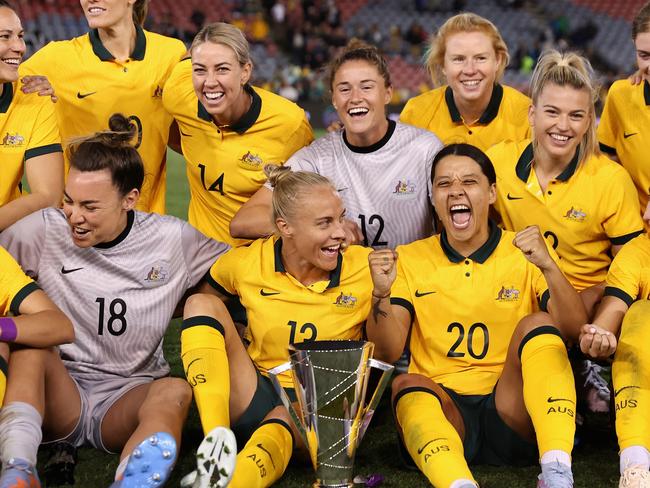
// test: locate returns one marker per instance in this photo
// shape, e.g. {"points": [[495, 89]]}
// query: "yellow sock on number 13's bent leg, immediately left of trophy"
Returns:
{"points": [[265, 456]]}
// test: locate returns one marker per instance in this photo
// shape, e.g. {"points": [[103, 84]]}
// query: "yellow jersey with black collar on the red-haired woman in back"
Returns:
{"points": [[505, 118]]}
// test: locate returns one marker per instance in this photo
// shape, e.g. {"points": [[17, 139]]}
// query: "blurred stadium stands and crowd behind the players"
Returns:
{"points": [[292, 39]]}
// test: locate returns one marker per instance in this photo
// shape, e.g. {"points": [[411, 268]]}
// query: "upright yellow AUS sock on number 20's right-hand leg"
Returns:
{"points": [[549, 389]]}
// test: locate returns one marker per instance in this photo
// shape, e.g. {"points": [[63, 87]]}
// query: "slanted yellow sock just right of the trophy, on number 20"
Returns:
{"points": [[429, 437]]}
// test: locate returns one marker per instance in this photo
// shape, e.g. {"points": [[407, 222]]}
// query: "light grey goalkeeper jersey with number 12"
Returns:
{"points": [[385, 187]]}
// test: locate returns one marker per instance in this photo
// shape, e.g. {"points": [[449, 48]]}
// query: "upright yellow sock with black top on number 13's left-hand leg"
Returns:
{"points": [[205, 362]]}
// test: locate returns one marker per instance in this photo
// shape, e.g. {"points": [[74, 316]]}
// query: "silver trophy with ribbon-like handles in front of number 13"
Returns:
{"points": [[330, 379]]}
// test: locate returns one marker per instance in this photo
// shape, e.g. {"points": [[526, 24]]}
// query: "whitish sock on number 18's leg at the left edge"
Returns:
{"points": [[20, 432]]}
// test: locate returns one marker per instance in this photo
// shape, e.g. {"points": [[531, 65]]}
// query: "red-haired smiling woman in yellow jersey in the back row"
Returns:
{"points": [[469, 54]]}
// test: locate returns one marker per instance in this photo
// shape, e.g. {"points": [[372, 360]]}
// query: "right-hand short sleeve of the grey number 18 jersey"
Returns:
{"points": [[200, 252]]}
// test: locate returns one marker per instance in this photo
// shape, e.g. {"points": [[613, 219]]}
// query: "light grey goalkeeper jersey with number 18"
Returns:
{"points": [[121, 295]]}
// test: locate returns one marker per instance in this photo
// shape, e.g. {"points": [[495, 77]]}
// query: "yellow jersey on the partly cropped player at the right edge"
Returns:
{"points": [[624, 129]]}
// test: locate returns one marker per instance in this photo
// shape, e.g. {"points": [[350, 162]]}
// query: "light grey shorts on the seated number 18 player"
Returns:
{"points": [[97, 397]]}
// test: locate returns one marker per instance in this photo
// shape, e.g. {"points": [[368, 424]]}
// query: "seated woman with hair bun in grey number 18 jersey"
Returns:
{"points": [[118, 274]]}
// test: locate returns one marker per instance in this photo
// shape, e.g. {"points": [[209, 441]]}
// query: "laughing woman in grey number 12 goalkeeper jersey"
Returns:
{"points": [[380, 167]]}
